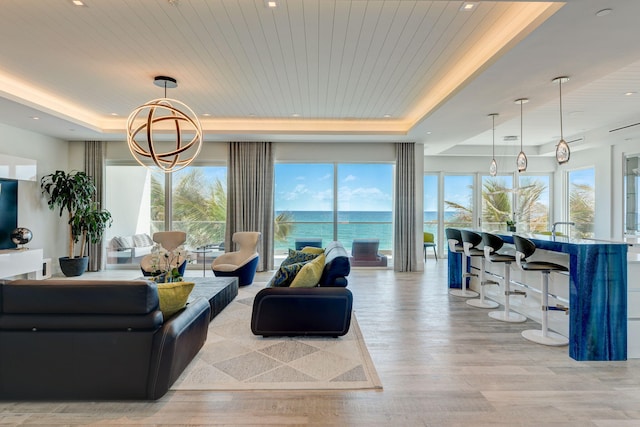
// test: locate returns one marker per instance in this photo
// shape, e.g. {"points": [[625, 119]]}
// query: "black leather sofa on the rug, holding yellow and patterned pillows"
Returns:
{"points": [[324, 310]]}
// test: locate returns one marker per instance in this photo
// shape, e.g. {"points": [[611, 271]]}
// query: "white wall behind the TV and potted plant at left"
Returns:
{"points": [[51, 154]]}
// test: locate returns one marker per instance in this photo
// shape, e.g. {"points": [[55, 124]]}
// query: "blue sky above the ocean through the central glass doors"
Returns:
{"points": [[309, 187]]}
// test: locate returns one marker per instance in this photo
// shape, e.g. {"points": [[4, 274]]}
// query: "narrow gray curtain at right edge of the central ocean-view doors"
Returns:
{"points": [[404, 253]]}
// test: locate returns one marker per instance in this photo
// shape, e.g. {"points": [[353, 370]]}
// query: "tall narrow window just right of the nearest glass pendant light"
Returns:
{"points": [[581, 208]]}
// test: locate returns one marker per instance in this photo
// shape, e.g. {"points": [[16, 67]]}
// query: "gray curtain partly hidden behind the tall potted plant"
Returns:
{"points": [[94, 155]]}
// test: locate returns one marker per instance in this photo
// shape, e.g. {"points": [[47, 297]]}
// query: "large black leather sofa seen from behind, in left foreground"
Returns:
{"points": [[93, 340]]}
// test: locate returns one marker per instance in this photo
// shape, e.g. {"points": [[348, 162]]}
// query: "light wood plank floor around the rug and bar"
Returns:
{"points": [[441, 362]]}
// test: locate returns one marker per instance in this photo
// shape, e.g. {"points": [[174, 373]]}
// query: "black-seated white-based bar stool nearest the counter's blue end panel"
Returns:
{"points": [[524, 249]]}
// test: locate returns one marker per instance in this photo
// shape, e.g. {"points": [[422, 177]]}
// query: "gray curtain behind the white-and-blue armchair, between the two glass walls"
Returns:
{"points": [[250, 195]]}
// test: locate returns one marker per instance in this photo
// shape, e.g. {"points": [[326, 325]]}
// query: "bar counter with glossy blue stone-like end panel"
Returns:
{"points": [[597, 294]]}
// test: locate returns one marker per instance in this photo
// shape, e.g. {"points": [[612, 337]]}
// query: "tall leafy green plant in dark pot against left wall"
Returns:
{"points": [[72, 192]]}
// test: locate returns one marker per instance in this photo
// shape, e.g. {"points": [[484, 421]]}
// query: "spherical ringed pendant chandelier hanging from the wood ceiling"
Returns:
{"points": [[144, 130]]}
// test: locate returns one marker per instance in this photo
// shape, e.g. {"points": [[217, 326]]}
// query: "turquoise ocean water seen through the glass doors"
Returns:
{"points": [[351, 225]]}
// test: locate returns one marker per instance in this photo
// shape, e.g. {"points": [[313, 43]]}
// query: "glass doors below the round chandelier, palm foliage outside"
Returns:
{"points": [[143, 202]]}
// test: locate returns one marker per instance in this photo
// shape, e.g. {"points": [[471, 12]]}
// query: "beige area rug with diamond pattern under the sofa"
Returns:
{"points": [[235, 359]]}
